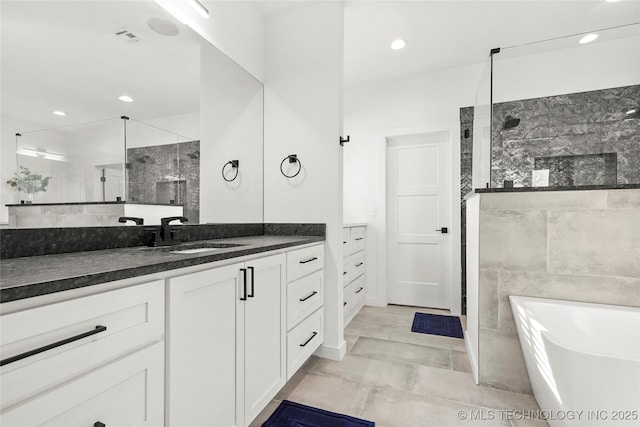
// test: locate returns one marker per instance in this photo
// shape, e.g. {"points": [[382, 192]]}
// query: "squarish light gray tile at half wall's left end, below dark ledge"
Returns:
{"points": [[513, 240]]}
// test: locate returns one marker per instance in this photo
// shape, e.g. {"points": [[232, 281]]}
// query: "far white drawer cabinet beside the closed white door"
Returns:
{"points": [[354, 282]]}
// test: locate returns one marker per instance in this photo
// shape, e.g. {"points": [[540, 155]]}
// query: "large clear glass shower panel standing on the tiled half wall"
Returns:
{"points": [[567, 113]]}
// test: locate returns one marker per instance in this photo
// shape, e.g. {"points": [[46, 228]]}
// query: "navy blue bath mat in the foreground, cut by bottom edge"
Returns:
{"points": [[291, 414]]}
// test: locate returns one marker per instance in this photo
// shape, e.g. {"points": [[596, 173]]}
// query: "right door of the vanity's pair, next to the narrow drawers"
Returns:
{"points": [[264, 332]]}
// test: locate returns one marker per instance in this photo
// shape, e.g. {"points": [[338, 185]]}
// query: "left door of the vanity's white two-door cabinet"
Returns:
{"points": [[201, 341]]}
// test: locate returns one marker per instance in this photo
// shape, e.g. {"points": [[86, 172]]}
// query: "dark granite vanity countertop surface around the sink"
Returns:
{"points": [[39, 275]]}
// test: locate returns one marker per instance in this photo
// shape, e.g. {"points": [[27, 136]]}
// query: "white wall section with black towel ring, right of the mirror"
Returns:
{"points": [[303, 96]]}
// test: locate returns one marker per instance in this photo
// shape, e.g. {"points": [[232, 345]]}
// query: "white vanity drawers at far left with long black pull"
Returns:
{"points": [[94, 360]]}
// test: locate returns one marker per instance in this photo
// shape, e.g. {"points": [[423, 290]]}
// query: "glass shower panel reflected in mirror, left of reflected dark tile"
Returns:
{"points": [[71, 164]]}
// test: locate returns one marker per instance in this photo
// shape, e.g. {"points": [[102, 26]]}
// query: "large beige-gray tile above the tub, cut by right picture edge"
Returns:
{"points": [[595, 242]]}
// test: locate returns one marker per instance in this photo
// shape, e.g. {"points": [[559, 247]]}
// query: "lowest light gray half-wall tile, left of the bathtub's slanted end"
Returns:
{"points": [[501, 364]]}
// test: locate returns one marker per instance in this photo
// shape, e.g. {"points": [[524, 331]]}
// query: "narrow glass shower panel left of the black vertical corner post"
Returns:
{"points": [[481, 156]]}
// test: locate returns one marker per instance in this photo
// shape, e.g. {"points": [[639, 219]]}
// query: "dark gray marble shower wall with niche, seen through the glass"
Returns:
{"points": [[585, 125]]}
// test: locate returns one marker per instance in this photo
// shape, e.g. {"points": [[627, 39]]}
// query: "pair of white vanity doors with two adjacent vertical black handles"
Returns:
{"points": [[225, 337]]}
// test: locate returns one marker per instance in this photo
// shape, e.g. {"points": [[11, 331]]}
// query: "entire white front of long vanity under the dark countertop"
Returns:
{"points": [[206, 345]]}
